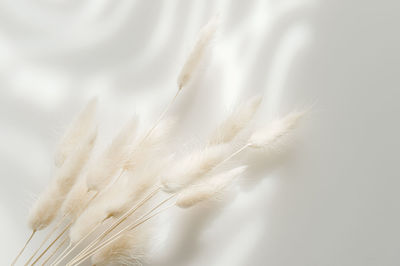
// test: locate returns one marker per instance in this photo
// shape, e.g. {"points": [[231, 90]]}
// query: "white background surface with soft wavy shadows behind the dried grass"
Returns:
{"points": [[335, 201]]}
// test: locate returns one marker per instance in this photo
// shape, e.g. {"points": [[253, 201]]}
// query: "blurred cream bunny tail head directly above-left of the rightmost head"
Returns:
{"points": [[235, 122]]}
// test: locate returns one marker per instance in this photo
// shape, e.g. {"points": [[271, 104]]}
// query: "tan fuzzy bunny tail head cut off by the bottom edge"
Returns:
{"points": [[129, 249]]}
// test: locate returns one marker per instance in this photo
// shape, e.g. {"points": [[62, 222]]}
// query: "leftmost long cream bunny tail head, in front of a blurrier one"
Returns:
{"points": [[46, 208]]}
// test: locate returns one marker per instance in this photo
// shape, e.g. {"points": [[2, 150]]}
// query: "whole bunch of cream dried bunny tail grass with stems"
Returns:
{"points": [[105, 204]]}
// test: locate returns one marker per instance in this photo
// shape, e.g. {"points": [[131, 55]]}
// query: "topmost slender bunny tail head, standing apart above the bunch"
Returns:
{"points": [[205, 36]]}
